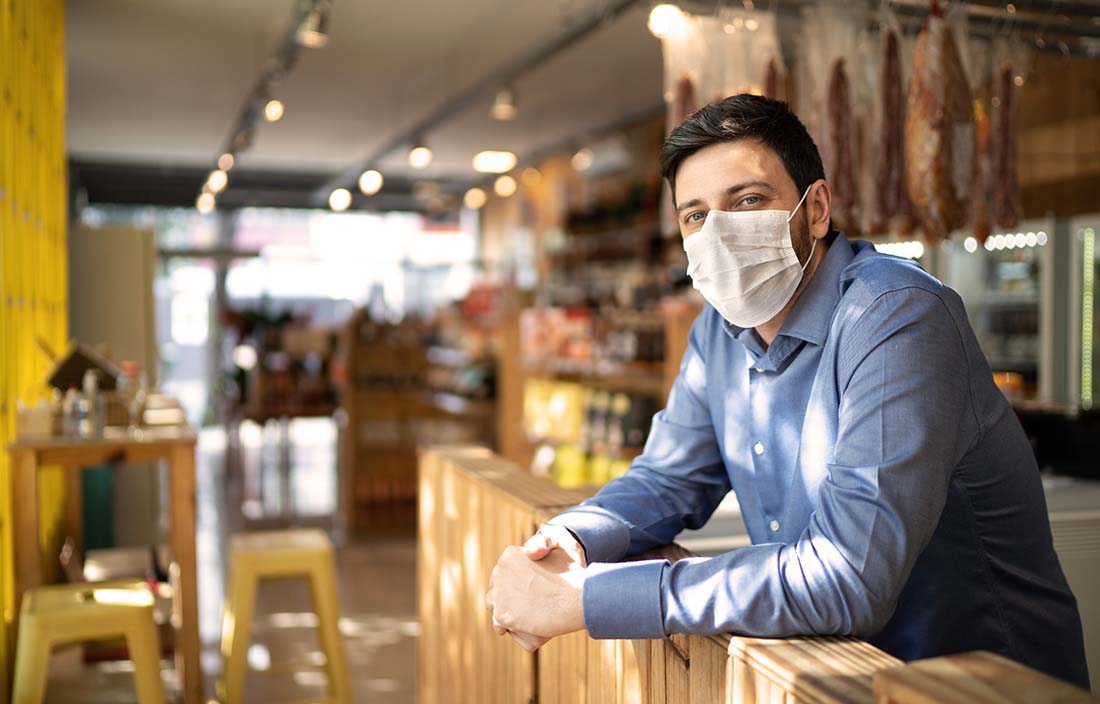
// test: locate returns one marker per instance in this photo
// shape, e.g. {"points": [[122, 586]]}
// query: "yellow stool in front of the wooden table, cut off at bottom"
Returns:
{"points": [[74, 613]]}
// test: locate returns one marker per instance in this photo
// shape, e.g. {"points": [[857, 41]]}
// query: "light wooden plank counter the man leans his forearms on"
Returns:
{"points": [[475, 504]]}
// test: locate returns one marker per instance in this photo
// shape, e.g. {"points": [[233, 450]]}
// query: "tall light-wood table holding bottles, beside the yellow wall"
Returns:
{"points": [[174, 445]]}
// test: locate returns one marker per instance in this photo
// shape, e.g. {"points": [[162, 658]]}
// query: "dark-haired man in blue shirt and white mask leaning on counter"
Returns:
{"points": [[889, 490]]}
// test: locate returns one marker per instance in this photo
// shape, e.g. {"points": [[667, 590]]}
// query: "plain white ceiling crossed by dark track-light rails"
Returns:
{"points": [[161, 82]]}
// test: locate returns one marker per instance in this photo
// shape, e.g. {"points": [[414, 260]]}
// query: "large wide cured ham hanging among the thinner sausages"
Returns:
{"points": [[940, 146]]}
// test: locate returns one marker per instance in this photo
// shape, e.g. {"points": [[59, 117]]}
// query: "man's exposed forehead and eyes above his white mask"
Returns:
{"points": [[734, 177]]}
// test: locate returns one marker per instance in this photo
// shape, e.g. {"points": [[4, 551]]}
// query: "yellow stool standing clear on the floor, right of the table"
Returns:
{"points": [[280, 554]]}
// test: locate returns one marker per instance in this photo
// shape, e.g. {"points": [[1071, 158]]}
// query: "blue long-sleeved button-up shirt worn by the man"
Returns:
{"points": [[887, 486]]}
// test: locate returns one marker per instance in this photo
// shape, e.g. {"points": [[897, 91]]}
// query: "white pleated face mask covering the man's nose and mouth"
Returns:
{"points": [[744, 263]]}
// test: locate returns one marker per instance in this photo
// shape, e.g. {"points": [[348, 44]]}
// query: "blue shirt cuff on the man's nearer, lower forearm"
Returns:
{"points": [[624, 600]]}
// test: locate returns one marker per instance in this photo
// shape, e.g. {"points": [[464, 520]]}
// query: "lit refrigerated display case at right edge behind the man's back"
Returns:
{"points": [[1031, 296]]}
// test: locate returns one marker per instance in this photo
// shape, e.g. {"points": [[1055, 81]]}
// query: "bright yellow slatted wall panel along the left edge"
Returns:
{"points": [[34, 267]]}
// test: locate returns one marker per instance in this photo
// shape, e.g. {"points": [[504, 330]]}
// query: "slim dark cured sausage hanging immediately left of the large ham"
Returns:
{"points": [[889, 204]]}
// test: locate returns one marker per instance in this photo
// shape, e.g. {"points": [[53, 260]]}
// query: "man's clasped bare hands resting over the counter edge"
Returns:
{"points": [[535, 592]]}
